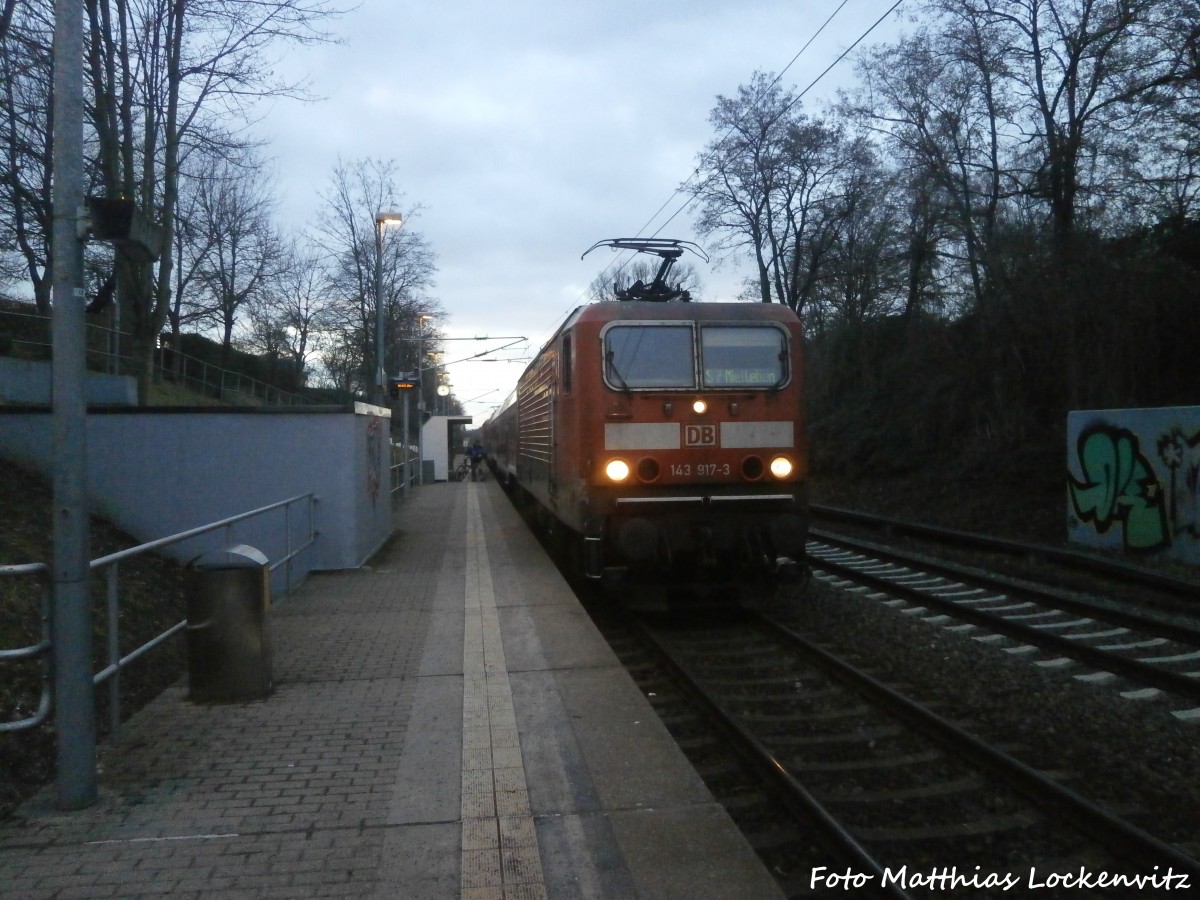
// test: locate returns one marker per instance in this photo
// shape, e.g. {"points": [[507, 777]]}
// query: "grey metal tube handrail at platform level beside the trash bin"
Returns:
{"points": [[111, 565]]}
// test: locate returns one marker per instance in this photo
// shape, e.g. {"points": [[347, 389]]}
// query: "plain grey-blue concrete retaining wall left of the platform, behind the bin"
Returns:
{"points": [[159, 472]]}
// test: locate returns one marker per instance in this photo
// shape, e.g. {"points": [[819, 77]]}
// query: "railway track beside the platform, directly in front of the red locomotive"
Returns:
{"points": [[905, 802]]}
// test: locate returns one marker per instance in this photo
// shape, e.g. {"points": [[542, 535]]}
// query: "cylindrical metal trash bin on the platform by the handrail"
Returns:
{"points": [[229, 645]]}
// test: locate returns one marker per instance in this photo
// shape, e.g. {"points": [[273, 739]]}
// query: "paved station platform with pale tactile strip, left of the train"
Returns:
{"points": [[446, 723]]}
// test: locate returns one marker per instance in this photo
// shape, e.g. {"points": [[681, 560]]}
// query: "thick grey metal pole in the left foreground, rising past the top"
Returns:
{"points": [[71, 622]]}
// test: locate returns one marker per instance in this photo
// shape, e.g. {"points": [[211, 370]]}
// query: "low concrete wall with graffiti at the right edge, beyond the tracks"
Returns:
{"points": [[1138, 478]]}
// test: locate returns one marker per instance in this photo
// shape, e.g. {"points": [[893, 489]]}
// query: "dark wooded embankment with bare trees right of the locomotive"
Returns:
{"points": [[998, 226]]}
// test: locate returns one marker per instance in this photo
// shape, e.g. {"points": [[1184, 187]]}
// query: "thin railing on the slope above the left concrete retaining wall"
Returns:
{"points": [[33, 341]]}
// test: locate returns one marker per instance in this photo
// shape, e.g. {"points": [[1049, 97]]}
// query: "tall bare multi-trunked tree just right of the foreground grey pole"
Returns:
{"points": [[163, 74]]}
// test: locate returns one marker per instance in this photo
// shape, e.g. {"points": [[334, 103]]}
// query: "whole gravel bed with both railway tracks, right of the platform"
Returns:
{"points": [[878, 728]]}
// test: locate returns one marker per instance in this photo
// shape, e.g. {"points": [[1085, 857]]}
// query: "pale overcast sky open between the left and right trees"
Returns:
{"points": [[527, 131]]}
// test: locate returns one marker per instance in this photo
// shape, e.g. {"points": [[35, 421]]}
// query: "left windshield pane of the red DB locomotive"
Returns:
{"points": [[650, 357]]}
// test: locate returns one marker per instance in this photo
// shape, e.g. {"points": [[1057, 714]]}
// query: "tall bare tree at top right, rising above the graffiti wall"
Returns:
{"points": [[1079, 75]]}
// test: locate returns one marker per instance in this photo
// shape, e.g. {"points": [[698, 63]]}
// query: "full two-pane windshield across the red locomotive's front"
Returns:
{"points": [[664, 356]]}
